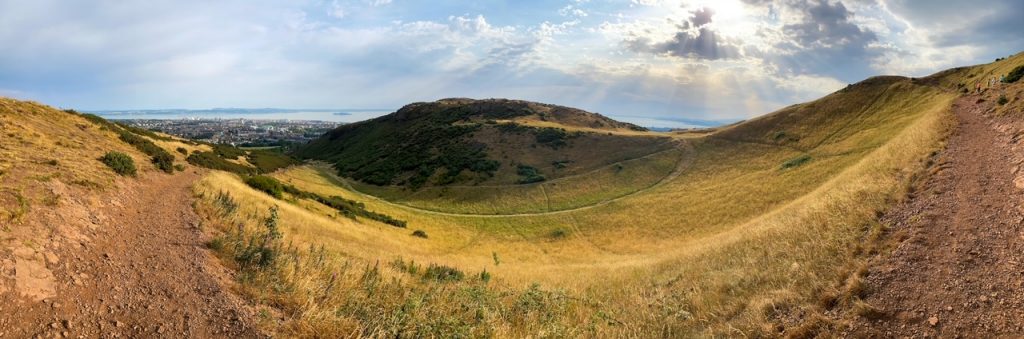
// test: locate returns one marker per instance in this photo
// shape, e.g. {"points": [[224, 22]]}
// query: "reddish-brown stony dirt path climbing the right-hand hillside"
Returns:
{"points": [[960, 270]]}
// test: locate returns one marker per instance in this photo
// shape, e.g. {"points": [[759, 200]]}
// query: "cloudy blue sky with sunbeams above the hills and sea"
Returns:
{"points": [[656, 62]]}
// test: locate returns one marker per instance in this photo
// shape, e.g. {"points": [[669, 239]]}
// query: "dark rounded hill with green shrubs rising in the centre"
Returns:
{"points": [[471, 142]]}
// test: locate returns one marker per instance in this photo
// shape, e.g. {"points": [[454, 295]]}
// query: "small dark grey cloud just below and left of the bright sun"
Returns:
{"points": [[696, 39]]}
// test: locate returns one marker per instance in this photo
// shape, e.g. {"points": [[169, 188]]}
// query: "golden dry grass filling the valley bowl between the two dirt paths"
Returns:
{"points": [[765, 227]]}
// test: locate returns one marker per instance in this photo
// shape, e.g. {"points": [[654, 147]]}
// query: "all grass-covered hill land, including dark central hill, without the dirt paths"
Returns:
{"points": [[761, 229]]}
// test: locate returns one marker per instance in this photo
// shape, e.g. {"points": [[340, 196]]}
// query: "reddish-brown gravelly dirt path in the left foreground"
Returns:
{"points": [[139, 271]]}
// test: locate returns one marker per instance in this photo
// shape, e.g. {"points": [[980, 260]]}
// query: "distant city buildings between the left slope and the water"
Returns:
{"points": [[243, 133]]}
